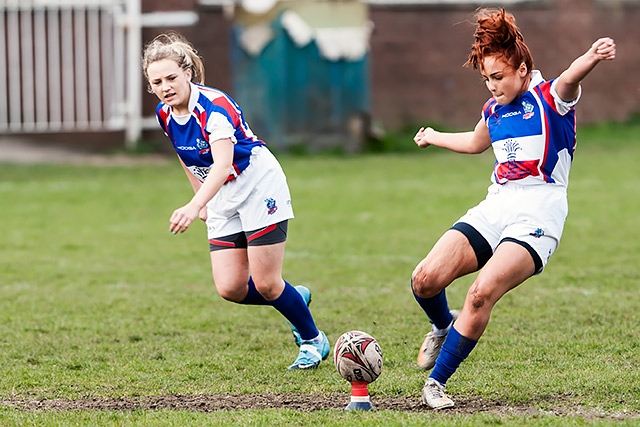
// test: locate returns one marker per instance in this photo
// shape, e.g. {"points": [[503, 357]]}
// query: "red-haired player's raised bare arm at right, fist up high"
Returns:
{"points": [[568, 83]]}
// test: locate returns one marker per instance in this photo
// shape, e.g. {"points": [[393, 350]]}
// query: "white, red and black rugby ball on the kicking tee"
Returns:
{"points": [[358, 357]]}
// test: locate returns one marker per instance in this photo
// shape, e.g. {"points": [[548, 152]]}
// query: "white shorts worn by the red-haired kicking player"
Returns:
{"points": [[531, 214]]}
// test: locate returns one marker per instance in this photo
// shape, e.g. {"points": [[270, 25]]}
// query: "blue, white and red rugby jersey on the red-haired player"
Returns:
{"points": [[533, 137]]}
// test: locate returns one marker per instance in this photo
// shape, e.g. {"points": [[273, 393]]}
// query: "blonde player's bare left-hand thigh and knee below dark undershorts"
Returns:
{"points": [[230, 269]]}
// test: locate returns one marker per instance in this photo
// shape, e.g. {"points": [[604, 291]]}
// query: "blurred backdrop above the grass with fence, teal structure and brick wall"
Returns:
{"points": [[310, 75]]}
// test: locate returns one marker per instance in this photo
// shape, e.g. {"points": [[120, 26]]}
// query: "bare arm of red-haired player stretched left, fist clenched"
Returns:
{"points": [[472, 142]]}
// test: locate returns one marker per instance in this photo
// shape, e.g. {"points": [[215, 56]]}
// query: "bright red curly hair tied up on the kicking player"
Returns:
{"points": [[497, 35]]}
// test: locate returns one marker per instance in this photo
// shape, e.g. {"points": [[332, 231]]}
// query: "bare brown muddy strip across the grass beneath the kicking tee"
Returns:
{"points": [[306, 403]]}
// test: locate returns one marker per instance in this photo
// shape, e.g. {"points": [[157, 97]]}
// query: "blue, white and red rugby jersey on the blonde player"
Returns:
{"points": [[214, 115]]}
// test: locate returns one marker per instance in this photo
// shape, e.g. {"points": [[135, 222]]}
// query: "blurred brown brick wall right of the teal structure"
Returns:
{"points": [[417, 54]]}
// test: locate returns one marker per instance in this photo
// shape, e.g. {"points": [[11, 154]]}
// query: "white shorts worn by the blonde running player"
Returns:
{"points": [[258, 197]]}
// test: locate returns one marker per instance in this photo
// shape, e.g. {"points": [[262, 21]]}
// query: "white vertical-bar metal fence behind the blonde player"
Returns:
{"points": [[70, 65]]}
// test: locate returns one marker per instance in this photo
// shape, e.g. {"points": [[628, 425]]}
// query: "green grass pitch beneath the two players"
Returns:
{"points": [[103, 312]]}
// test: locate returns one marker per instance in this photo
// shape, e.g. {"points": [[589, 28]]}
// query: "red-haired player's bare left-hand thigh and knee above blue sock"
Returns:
{"points": [[451, 257]]}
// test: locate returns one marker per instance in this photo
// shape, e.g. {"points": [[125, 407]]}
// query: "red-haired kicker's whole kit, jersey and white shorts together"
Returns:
{"points": [[533, 139]]}
